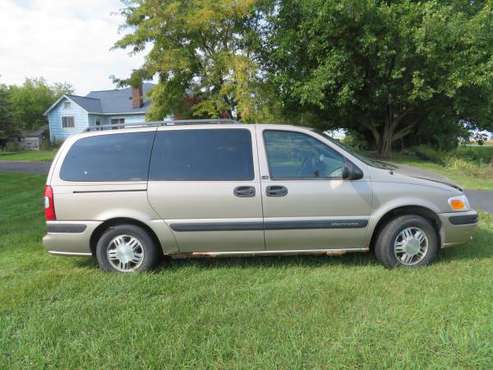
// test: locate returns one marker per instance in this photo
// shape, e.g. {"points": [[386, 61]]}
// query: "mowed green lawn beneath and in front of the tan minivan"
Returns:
{"points": [[286, 312]]}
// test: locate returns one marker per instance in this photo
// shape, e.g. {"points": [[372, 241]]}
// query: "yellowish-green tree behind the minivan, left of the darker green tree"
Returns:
{"points": [[203, 50]]}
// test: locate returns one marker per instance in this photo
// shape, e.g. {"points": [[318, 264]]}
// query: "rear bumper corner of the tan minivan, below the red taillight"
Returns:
{"points": [[70, 238]]}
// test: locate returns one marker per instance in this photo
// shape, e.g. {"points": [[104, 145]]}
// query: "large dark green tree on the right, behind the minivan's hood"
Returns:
{"points": [[386, 70]]}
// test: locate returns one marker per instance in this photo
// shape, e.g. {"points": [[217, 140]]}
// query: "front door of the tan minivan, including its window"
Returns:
{"points": [[307, 203]]}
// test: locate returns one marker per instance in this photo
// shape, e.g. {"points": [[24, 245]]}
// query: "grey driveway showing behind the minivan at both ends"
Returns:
{"points": [[480, 199]]}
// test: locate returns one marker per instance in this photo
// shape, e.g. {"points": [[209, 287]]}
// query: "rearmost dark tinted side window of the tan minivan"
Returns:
{"points": [[118, 157]]}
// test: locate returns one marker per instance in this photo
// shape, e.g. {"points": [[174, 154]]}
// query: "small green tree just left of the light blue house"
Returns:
{"points": [[29, 101]]}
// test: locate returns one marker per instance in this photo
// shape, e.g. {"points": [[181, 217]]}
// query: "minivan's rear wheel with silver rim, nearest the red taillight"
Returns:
{"points": [[126, 248]]}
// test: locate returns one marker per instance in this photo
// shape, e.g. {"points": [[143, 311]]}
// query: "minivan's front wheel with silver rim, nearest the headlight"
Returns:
{"points": [[409, 241]]}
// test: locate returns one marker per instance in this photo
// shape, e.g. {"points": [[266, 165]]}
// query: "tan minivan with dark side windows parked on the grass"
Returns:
{"points": [[130, 196]]}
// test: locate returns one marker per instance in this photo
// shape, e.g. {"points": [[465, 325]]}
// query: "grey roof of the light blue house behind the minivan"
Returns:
{"points": [[116, 101]]}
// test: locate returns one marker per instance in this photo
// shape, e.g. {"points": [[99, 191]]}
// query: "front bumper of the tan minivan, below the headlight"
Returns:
{"points": [[457, 227]]}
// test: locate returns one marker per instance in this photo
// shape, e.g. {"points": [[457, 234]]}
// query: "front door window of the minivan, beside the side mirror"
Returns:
{"points": [[294, 155]]}
